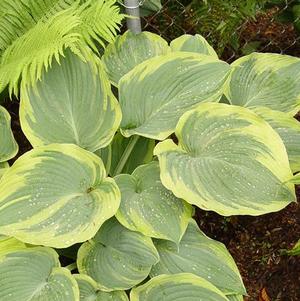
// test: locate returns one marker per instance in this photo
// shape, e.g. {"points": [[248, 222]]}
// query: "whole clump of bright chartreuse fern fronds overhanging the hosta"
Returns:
{"points": [[34, 32]]}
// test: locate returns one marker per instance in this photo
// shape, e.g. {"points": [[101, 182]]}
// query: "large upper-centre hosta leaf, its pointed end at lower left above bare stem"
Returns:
{"points": [[157, 92]]}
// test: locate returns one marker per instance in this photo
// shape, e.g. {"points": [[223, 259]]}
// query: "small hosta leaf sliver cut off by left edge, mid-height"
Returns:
{"points": [[8, 144]]}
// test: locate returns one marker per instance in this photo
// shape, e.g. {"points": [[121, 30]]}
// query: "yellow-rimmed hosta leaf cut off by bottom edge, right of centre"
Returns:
{"points": [[179, 287]]}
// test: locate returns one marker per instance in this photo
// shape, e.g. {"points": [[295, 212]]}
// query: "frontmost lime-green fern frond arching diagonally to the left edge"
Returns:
{"points": [[33, 51]]}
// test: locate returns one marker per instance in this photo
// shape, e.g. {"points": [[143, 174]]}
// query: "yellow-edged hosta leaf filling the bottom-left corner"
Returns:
{"points": [[34, 274]]}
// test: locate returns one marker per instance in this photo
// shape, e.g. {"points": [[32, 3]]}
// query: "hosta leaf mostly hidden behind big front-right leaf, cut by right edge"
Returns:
{"points": [[288, 129]]}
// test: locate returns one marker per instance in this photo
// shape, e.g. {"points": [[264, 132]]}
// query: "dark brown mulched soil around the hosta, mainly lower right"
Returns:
{"points": [[256, 243]]}
